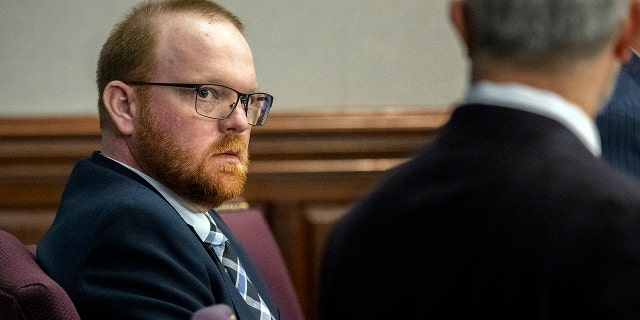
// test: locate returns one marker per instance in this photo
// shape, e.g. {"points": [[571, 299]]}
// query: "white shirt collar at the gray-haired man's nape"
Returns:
{"points": [[542, 102]]}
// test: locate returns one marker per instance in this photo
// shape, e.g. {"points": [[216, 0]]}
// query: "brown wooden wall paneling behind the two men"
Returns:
{"points": [[306, 169]]}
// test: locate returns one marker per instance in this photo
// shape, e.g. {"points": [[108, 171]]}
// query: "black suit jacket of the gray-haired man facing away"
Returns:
{"points": [[506, 215]]}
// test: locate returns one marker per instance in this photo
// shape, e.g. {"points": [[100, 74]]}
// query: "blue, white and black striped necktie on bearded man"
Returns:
{"points": [[227, 255]]}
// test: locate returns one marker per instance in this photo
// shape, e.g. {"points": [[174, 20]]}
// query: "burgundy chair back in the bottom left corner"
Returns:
{"points": [[26, 292]]}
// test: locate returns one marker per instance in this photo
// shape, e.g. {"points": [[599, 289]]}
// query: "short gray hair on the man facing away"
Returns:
{"points": [[538, 32]]}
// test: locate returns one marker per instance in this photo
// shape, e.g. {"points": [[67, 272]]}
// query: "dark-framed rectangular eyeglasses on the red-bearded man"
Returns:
{"points": [[218, 102]]}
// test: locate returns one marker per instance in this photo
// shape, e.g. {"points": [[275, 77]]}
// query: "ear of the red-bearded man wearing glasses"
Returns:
{"points": [[118, 99]]}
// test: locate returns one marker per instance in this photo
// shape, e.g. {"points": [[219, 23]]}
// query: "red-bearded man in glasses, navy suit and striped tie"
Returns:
{"points": [[132, 238]]}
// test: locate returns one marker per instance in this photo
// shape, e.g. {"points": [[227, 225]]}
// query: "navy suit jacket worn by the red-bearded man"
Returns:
{"points": [[122, 251]]}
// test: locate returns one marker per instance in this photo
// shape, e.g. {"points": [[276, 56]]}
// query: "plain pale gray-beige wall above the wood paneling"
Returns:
{"points": [[311, 55]]}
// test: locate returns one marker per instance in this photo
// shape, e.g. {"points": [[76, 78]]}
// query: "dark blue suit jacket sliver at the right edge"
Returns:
{"points": [[619, 121]]}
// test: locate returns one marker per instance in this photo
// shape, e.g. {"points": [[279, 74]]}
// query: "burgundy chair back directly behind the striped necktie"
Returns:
{"points": [[253, 231]]}
